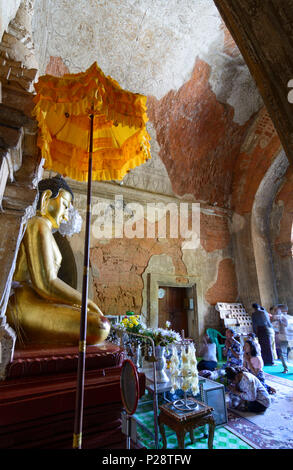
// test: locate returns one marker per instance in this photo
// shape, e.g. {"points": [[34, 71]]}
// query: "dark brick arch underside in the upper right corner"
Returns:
{"points": [[263, 31]]}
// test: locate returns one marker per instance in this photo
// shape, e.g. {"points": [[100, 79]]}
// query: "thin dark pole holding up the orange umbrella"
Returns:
{"points": [[78, 418]]}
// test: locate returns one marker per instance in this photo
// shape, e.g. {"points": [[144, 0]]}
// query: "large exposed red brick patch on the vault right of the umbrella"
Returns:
{"points": [[199, 142]]}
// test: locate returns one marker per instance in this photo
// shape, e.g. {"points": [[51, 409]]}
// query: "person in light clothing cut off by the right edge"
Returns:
{"points": [[283, 333]]}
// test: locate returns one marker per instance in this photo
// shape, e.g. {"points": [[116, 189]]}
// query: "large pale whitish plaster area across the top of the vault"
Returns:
{"points": [[149, 46]]}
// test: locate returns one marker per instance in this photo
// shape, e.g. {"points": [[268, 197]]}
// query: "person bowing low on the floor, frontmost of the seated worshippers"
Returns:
{"points": [[246, 392]]}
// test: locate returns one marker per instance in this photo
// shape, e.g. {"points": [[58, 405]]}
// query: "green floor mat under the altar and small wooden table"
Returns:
{"points": [[223, 439]]}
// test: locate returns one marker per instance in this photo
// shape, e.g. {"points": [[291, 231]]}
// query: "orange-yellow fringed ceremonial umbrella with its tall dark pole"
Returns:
{"points": [[89, 129]]}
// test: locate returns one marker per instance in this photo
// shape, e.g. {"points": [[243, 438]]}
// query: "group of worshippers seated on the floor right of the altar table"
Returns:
{"points": [[243, 369]]}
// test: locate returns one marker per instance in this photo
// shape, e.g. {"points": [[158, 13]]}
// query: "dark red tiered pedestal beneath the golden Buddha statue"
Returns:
{"points": [[37, 398]]}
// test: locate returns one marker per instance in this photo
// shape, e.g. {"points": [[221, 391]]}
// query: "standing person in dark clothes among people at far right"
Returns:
{"points": [[263, 329]]}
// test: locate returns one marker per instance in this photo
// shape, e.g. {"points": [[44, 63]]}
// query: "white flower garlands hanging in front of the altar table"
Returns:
{"points": [[183, 369]]}
